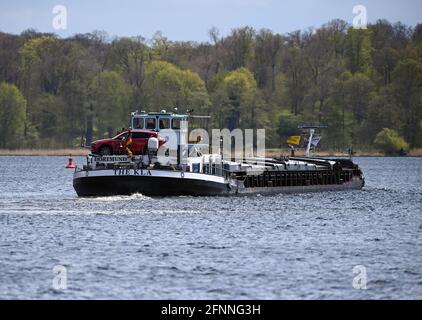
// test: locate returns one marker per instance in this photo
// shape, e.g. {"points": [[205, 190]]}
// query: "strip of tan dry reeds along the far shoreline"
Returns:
{"points": [[77, 152]]}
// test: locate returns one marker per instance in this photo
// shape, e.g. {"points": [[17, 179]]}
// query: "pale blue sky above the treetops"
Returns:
{"points": [[191, 19]]}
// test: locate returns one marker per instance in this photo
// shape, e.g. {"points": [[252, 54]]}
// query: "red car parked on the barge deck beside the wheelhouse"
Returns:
{"points": [[117, 145]]}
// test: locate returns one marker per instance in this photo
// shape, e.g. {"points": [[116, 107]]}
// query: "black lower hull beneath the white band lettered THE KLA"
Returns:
{"points": [[148, 186]]}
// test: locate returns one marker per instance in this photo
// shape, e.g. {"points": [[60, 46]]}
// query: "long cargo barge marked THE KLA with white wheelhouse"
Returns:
{"points": [[178, 168]]}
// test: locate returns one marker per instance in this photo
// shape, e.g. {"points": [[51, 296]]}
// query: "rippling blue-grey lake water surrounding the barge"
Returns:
{"points": [[340, 245]]}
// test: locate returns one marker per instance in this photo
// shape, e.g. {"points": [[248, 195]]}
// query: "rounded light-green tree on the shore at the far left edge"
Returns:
{"points": [[12, 116]]}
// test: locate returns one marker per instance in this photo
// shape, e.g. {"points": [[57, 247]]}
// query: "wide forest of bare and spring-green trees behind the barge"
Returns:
{"points": [[364, 84]]}
